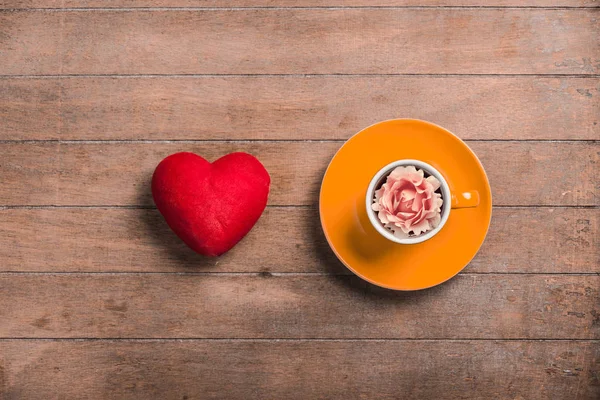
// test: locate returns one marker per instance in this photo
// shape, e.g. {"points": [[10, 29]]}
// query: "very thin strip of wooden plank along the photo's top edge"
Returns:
{"points": [[287, 3]]}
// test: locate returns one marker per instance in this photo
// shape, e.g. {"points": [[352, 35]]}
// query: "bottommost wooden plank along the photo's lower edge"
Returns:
{"points": [[301, 370]]}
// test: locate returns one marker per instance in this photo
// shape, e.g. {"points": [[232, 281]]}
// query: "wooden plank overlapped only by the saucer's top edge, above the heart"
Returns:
{"points": [[311, 107]]}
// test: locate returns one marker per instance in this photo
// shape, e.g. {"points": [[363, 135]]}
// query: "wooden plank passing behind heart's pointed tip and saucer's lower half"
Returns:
{"points": [[129, 240]]}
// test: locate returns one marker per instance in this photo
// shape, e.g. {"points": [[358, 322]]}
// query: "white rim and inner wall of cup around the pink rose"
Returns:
{"points": [[379, 179]]}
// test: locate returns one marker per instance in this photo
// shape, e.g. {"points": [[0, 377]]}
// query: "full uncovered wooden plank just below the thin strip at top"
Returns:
{"points": [[301, 41]]}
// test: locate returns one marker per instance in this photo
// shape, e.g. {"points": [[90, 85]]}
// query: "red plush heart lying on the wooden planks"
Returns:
{"points": [[210, 207]]}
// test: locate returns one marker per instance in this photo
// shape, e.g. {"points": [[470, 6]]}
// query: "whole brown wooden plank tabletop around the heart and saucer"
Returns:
{"points": [[99, 300]]}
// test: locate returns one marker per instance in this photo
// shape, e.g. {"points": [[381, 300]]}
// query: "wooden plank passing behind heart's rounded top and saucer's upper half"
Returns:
{"points": [[57, 173]]}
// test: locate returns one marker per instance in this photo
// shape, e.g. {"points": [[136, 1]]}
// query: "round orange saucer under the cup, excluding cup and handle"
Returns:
{"points": [[356, 242]]}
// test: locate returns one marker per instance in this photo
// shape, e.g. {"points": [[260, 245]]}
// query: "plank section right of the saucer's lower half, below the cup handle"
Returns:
{"points": [[570, 241]]}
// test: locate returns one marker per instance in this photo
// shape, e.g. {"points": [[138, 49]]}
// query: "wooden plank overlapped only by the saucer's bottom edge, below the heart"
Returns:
{"points": [[293, 306]]}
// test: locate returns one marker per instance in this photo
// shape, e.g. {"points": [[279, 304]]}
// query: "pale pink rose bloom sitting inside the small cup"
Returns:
{"points": [[407, 202]]}
